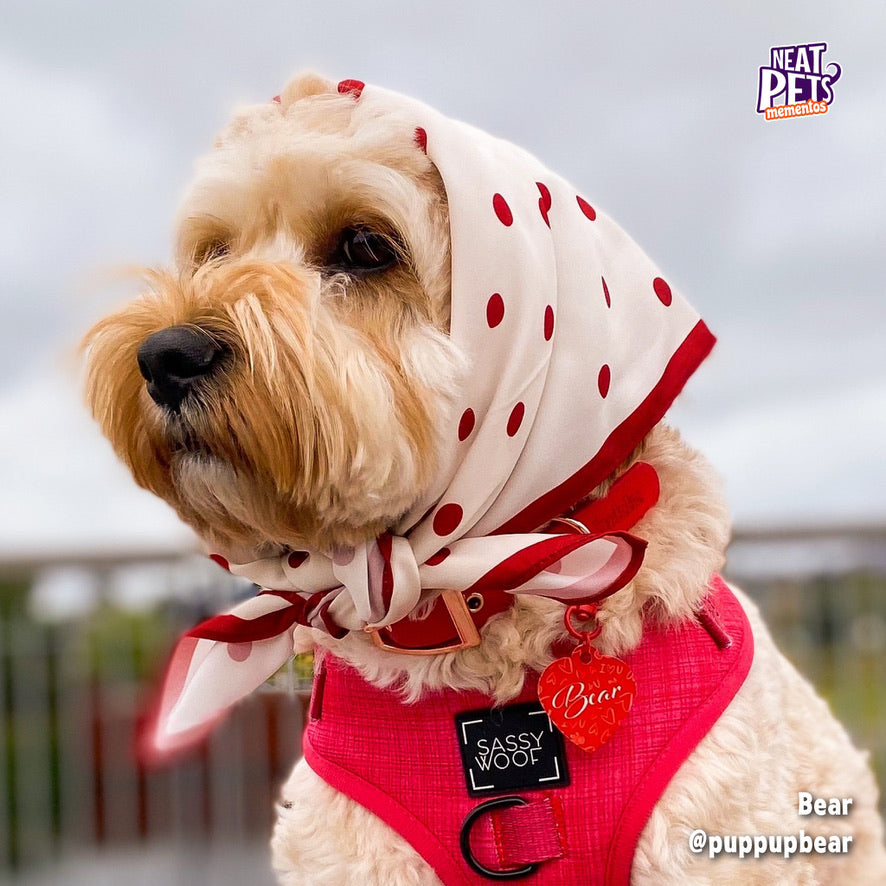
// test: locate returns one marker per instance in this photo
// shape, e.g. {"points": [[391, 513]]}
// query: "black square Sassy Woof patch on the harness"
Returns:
{"points": [[515, 748]]}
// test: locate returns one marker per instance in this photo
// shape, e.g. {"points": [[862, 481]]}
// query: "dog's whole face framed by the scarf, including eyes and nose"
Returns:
{"points": [[288, 382]]}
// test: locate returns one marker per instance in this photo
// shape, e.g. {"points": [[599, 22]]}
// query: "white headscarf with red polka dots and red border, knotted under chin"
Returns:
{"points": [[577, 347]]}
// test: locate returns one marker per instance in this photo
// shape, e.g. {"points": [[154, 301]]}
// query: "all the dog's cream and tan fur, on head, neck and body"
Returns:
{"points": [[323, 426]]}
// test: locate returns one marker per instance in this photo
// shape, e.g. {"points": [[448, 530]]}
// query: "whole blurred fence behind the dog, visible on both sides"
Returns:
{"points": [[71, 691]]}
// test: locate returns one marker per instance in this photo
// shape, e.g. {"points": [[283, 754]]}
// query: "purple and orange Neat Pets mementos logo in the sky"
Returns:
{"points": [[797, 83]]}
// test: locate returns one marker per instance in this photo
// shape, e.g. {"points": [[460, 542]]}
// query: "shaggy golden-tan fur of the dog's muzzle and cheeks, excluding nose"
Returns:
{"points": [[318, 427]]}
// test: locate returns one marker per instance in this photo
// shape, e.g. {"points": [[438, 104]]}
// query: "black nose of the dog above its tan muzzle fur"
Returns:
{"points": [[173, 359]]}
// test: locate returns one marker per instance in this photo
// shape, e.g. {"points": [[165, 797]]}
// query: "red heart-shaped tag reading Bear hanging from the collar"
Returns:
{"points": [[587, 695]]}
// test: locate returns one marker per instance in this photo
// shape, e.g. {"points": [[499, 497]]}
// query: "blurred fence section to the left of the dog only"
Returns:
{"points": [[71, 695]]}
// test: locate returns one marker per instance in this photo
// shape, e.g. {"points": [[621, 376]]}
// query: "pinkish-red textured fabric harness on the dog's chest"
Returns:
{"points": [[402, 762]]}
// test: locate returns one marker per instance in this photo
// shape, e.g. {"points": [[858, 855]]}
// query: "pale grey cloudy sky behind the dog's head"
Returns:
{"points": [[774, 230]]}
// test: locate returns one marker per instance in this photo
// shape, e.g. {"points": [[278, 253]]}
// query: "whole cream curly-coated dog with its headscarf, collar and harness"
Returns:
{"points": [[394, 348]]}
